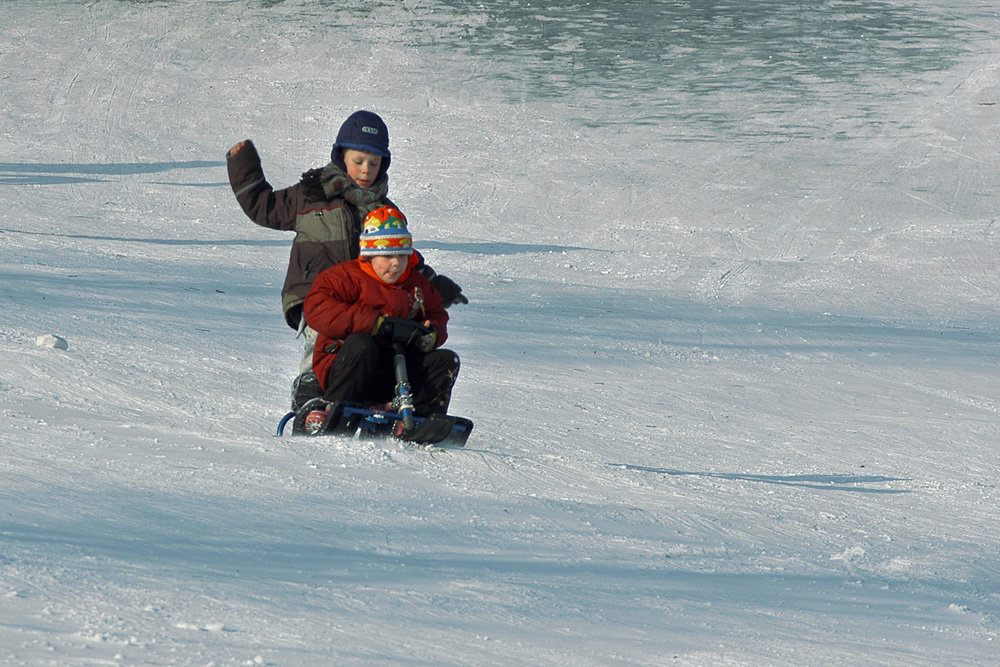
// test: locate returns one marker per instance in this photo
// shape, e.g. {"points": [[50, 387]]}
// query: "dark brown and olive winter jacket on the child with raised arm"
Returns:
{"points": [[325, 210]]}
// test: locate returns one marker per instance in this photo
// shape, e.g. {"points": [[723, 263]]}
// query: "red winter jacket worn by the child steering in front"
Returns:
{"points": [[349, 297]]}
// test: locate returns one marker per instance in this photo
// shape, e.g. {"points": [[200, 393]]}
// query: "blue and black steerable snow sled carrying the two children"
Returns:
{"points": [[396, 420]]}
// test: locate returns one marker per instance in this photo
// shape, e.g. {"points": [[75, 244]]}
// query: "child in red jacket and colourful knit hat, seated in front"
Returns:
{"points": [[347, 306]]}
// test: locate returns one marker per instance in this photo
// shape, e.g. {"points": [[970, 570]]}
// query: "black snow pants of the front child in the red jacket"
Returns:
{"points": [[363, 372]]}
